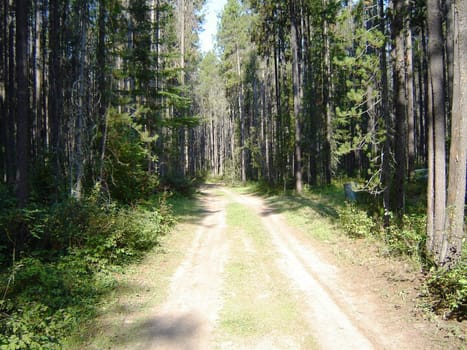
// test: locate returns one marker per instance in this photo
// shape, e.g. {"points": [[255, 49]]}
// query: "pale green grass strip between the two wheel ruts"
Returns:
{"points": [[259, 307]]}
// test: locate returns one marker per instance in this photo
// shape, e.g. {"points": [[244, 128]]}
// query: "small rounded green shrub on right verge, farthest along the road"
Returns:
{"points": [[355, 222]]}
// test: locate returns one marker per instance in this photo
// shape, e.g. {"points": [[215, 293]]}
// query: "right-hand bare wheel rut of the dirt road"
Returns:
{"points": [[334, 328]]}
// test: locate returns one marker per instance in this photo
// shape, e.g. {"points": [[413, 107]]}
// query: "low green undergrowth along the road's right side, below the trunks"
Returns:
{"points": [[445, 291]]}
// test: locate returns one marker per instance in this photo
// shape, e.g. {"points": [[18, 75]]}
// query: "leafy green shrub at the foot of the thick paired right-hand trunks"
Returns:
{"points": [[448, 290]]}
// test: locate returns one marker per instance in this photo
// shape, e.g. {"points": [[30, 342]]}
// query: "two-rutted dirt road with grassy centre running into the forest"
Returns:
{"points": [[248, 281]]}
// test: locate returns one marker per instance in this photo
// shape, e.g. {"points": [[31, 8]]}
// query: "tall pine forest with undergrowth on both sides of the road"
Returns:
{"points": [[109, 107]]}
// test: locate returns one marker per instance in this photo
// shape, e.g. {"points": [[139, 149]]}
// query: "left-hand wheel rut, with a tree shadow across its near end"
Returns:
{"points": [[187, 318]]}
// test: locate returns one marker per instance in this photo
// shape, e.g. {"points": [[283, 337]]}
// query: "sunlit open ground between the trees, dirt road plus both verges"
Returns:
{"points": [[238, 274]]}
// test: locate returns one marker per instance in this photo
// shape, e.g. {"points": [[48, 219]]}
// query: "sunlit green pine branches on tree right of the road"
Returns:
{"points": [[357, 125]]}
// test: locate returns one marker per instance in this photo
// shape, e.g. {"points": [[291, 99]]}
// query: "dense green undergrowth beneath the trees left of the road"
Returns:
{"points": [[68, 263]]}
